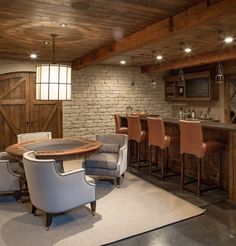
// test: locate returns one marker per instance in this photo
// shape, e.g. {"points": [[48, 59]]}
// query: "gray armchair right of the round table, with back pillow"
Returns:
{"points": [[111, 159]]}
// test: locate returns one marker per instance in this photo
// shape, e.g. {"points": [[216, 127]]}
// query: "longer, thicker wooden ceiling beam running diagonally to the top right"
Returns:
{"points": [[189, 18]]}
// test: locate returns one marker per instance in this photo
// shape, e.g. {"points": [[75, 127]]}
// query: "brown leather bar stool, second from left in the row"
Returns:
{"points": [[136, 134]]}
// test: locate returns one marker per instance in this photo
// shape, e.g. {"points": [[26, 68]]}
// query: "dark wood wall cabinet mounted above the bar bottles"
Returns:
{"points": [[197, 86]]}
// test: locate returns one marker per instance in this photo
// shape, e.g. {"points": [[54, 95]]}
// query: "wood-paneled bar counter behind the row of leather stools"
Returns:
{"points": [[224, 133]]}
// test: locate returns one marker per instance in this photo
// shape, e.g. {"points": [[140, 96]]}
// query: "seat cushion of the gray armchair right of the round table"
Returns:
{"points": [[102, 161]]}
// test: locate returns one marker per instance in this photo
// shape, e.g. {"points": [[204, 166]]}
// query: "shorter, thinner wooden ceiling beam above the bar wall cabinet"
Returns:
{"points": [[202, 59]]}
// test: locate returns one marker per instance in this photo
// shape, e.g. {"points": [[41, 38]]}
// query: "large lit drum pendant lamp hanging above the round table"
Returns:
{"points": [[53, 81]]}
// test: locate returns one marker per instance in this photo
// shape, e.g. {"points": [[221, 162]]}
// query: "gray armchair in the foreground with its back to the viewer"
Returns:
{"points": [[55, 192]]}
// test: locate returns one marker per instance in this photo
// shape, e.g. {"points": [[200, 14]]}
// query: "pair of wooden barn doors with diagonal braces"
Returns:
{"points": [[20, 112]]}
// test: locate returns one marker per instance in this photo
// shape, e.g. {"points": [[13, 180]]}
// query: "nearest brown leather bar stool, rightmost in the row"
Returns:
{"points": [[191, 142]]}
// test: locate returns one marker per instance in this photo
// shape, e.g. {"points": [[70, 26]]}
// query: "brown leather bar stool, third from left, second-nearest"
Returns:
{"points": [[158, 139]]}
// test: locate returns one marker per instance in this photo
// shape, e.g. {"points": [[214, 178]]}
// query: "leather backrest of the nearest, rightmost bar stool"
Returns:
{"points": [[191, 138]]}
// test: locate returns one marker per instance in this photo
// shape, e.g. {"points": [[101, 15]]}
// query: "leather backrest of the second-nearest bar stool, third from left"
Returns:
{"points": [[156, 132]]}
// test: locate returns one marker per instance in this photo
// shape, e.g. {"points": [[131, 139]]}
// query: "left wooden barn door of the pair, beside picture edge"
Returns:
{"points": [[14, 107]]}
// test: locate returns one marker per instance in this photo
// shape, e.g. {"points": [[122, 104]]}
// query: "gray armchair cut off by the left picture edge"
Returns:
{"points": [[9, 180]]}
